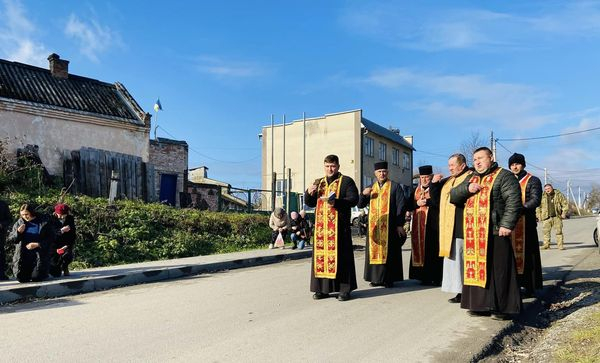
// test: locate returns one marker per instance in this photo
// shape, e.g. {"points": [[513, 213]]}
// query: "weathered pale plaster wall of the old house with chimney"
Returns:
{"points": [[55, 131]]}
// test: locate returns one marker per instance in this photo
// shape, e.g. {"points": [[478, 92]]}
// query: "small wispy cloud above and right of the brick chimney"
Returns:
{"points": [[93, 38]]}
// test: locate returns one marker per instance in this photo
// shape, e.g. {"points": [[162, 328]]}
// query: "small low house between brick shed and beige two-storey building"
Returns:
{"points": [[211, 194]]}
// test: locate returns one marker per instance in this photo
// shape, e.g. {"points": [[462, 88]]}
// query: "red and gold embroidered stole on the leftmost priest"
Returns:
{"points": [[326, 236]]}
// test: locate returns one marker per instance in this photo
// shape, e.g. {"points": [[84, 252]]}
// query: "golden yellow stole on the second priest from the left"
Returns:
{"points": [[379, 219]]}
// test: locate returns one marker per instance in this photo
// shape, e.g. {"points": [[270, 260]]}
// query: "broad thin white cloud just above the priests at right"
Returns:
{"points": [[467, 97]]}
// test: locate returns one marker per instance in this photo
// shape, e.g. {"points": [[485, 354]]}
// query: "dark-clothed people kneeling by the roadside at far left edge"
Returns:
{"points": [[43, 245]]}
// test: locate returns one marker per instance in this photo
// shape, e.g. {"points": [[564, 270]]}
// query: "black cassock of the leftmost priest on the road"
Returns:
{"points": [[345, 280]]}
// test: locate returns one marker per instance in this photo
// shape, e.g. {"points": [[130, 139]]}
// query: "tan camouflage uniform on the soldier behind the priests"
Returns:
{"points": [[551, 211]]}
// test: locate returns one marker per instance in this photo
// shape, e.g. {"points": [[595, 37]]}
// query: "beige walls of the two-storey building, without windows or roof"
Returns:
{"points": [[339, 134]]}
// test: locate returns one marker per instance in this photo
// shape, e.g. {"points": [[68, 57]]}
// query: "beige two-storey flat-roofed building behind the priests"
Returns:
{"points": [[358, 141]]}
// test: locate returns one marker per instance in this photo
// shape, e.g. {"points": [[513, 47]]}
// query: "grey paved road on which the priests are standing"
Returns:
{"points": [[260, 314]]}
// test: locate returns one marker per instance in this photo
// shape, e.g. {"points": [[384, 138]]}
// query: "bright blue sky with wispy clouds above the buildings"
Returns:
{"points": [[441, 71]]}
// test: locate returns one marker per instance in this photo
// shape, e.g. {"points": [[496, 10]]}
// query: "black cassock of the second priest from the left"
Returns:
{"points": [[392, 269]]}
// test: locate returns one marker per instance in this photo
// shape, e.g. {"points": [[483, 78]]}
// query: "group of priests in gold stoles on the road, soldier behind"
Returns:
{"points": [[473, 233]]}
